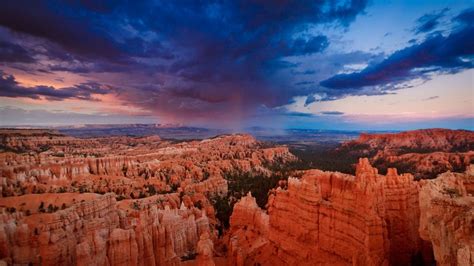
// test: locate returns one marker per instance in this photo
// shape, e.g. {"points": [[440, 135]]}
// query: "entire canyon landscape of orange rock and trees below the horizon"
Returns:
{"points": [[104, 197]]}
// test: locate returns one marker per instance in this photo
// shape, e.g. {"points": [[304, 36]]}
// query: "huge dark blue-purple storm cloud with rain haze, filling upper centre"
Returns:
{"points": [[179, 59]]}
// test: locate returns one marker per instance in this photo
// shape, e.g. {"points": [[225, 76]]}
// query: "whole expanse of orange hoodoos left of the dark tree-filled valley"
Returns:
{"points": [[117, 200]]}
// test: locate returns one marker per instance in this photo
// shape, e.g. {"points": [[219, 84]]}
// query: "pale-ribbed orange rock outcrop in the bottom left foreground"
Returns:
{"points": [[100, 232]]}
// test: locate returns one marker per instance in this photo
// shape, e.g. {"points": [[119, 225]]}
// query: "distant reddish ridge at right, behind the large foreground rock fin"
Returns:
{"points": [[423, 153]]}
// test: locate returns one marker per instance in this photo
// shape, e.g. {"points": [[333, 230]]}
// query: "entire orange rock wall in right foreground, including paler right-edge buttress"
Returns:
{"points": [[367, 219]]}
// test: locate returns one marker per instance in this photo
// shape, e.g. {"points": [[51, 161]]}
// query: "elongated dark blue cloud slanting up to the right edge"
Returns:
{"points": [[436, 54]]}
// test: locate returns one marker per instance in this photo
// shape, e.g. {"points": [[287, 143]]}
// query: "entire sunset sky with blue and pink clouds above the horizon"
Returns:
{"points": [[349, 65]]}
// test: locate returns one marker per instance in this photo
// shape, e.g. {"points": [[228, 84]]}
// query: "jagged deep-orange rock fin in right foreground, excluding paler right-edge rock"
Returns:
{"points": [[331, 218]]}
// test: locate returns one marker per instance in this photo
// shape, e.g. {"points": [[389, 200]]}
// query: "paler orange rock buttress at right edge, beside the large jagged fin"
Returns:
{"points": [[447, 217]]}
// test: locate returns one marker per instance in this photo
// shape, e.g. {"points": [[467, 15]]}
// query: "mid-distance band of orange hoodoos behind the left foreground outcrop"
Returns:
{"points": [[196, 166]]}
